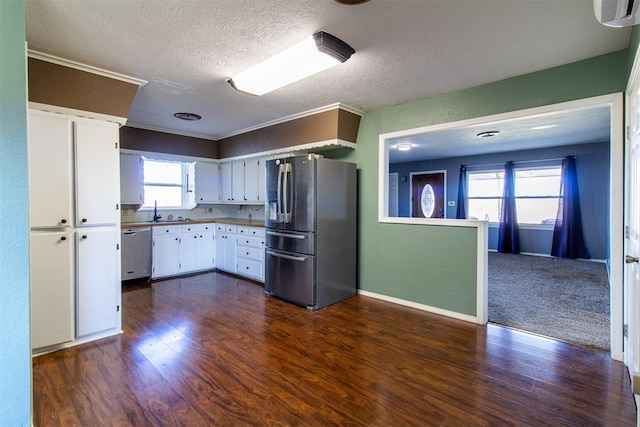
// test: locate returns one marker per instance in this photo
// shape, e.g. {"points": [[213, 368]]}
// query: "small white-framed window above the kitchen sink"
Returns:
{"points": [[168, 183]]}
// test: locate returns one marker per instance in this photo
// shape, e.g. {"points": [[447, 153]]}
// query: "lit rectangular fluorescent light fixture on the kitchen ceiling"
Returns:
{"points": [[314, 54]]}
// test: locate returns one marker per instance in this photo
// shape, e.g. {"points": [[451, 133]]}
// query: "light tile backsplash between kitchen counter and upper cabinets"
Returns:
{"points": [[130, 214]]}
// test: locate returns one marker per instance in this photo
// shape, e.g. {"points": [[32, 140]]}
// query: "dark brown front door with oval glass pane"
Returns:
{"points": [[427, 198]]}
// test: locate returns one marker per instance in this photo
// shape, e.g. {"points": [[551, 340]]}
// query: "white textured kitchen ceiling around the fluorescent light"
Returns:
{"points": [[405, 50]]}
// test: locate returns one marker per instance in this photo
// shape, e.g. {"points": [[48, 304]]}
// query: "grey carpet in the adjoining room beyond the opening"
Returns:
{"points": [[555, 297]]}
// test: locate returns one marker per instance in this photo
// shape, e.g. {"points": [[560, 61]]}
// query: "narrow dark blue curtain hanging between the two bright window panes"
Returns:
{"points": [[508, 236]]}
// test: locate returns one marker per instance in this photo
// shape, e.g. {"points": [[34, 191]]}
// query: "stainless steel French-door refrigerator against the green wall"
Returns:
{"points": [[310, 219]]}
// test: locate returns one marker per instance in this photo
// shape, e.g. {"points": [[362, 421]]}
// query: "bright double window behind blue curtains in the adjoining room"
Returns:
{"points": [[537, 194]]}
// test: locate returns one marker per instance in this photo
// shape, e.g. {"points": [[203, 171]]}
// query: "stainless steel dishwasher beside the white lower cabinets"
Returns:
{"points": [[136, 253]]}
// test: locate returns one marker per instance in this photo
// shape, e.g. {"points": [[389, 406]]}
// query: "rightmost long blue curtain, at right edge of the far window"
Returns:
{"points": [[568, 241]]}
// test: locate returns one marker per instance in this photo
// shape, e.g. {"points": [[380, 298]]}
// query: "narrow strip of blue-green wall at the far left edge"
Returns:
{"points": [[15, 356]]}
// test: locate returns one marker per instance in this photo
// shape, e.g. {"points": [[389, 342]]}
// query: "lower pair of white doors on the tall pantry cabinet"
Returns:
{"points": [[75, 284]]}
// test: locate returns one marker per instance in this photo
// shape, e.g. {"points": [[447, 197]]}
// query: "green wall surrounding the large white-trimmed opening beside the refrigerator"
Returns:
{"points": [[432, 265]]}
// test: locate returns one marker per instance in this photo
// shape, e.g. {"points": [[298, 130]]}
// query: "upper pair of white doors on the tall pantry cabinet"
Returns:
{"points": [[64, 150]]}
